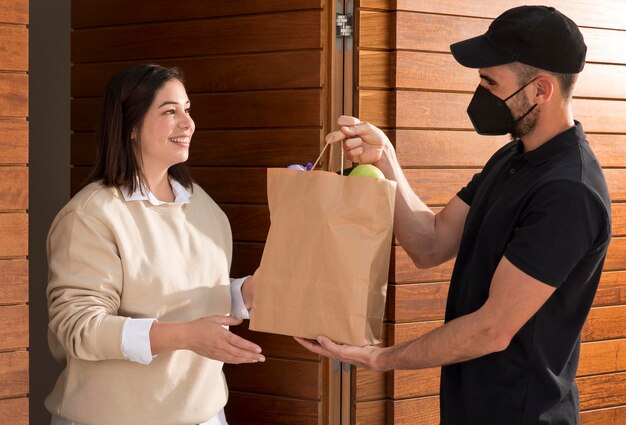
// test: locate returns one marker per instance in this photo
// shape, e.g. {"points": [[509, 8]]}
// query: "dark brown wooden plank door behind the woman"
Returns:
{"points": [[256, 76]]}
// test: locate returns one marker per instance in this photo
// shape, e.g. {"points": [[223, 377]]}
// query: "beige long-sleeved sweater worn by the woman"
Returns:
{"points": [[110, 260]]}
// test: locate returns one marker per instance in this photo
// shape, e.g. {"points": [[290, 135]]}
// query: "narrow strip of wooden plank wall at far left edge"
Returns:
{"points": [[14, 212]]}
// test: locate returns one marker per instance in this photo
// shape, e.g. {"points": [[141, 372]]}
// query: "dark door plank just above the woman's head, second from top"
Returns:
{"points": [[260, 33]]}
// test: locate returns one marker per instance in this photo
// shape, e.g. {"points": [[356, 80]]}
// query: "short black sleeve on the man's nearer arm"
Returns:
{"points": [[563, 222]]}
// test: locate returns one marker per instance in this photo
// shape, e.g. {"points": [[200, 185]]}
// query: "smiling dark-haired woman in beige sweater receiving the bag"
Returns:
{"points": [[139, 259]]}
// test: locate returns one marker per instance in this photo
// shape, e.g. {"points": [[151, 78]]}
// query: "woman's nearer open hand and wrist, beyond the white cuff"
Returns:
{"points": [[206, 337]]}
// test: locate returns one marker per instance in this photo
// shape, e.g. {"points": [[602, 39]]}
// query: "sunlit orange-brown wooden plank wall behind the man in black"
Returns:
{"points": [[409, 84]]}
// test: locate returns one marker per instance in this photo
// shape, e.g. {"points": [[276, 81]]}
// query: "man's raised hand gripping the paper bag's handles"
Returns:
{"points": [[364, 142]]}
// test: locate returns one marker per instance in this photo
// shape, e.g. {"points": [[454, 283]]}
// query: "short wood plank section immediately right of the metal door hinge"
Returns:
{"points": [[376, 30]]}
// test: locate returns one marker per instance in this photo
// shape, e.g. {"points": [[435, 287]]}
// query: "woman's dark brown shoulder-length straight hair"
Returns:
{"points": [[127, 98]]}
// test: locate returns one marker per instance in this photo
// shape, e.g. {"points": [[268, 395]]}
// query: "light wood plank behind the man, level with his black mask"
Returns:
{"points": [[448, 111]]}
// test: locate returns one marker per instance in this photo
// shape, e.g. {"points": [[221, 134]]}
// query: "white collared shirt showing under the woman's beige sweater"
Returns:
{"points": [[136, 332]]}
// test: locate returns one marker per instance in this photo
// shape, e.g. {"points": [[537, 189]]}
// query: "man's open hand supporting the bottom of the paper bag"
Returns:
{"points": [[367, 356]]}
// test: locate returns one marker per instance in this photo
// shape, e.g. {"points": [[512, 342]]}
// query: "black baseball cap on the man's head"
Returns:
{"points": [[539, 36]]}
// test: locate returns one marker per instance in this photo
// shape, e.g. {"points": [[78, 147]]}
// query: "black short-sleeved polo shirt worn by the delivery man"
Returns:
{"points": [[548, 212]]}
